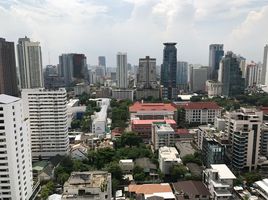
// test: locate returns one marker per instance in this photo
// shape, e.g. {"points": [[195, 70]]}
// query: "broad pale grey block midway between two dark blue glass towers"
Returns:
{"points": [[199, 78]]}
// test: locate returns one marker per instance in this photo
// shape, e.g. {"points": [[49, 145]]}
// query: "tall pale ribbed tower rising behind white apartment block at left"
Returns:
{"points": [[30, 63]]}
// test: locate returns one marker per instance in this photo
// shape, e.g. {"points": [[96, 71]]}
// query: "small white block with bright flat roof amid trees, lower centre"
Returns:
{"points": [[168, 157]]}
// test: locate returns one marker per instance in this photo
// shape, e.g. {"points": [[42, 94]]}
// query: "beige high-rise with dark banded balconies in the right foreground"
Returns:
{"points": [[244, 129]]}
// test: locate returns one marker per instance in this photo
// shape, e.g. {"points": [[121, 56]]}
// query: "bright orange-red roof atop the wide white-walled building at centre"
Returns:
{"points": [[151, 107]]}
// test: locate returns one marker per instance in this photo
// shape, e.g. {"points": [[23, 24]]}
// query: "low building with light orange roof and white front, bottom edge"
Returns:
{"points": [[148, 191]]}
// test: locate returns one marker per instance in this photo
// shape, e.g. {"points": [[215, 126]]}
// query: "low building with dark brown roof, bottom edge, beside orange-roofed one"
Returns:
{"points": [[194, 190]]}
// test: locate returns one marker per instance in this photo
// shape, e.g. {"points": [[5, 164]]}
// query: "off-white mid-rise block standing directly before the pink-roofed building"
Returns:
{"points": [[162, 135]]}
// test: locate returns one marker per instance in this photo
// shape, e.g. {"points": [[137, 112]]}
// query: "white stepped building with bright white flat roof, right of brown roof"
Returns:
{"points": [[219, 181]]}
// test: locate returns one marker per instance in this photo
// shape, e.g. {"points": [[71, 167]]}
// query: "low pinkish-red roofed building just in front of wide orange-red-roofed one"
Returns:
{"points": [[144, 127]]}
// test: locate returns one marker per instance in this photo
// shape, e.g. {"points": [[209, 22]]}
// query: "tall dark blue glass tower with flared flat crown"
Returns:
{"points": [[169, 71]]}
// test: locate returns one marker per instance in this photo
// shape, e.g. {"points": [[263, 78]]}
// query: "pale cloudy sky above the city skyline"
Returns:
{"points": [[138, 27]]}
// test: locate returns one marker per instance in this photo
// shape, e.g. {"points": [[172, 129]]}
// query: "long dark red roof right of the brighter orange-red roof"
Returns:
{"points": [[199, 105]]}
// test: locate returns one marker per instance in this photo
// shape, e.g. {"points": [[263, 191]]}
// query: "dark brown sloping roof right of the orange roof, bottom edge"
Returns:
{"points": [[191, 188]]}
